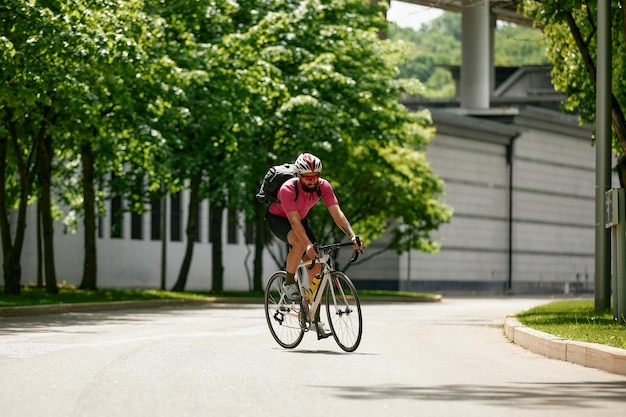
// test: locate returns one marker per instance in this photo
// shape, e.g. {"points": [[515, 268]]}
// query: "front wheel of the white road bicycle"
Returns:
{"points": [[344, 311]]}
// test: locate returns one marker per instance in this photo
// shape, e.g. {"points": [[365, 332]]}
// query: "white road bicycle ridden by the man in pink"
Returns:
{"points": [[289, 320]]}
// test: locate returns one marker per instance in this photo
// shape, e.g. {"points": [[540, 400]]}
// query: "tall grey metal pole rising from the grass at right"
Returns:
{"points": [[603, 157]]}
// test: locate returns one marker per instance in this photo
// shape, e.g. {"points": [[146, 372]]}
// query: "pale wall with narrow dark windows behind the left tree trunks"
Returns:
{"points": [[129, 263]]}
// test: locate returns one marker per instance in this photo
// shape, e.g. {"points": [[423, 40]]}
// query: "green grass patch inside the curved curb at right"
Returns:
{"points": [[576, 320]]}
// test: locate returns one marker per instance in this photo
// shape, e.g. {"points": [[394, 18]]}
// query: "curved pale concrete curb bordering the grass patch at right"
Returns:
{"points": [[590, 355]]}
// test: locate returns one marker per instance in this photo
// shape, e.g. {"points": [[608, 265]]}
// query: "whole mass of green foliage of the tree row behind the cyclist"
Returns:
{"points": [[165, 92]]}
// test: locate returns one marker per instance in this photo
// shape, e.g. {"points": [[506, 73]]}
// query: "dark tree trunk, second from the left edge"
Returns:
{"points": [[45, 158]]}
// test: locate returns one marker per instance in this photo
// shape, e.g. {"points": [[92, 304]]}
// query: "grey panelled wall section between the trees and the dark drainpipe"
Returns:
{"points": [[475, 175]]}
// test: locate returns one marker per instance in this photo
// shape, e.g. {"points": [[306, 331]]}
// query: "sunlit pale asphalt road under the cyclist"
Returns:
{"points": [[427, 359]]}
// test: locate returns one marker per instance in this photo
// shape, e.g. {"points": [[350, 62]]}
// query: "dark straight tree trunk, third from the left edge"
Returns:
{"points": [[89, 281]]}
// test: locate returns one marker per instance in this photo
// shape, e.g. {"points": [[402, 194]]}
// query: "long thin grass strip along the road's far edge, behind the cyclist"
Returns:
{"points": [[33, 296]]}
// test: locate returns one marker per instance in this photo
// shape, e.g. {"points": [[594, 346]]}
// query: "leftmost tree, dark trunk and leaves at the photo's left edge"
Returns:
{"points": [[26, 109]]}
